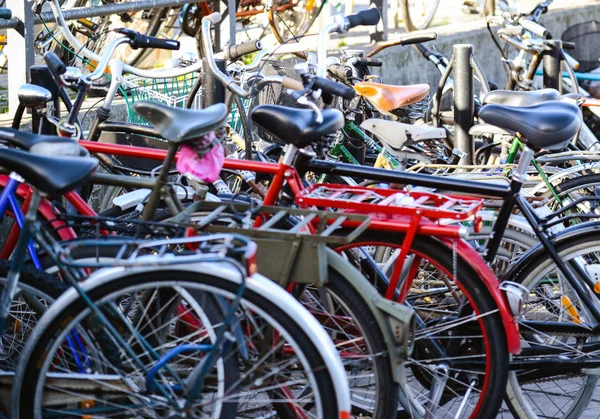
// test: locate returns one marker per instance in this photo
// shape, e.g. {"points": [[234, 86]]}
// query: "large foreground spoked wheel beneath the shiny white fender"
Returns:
{"points": [[282, 366]]}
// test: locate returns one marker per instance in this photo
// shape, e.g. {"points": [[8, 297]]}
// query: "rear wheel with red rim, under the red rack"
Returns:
{"points": [[468, 350]]}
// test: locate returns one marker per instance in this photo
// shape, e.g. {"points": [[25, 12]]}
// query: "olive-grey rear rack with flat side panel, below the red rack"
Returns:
{"points": [[291, 242]]}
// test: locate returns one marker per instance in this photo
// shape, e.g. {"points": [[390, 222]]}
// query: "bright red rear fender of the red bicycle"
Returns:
{"points": [[511, 326]]}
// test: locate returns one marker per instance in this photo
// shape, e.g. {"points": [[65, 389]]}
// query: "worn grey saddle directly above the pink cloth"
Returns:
{"points": [[178, 125]]}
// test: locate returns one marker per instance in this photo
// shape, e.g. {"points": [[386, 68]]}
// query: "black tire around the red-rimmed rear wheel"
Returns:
{"points": [[491, 325]]}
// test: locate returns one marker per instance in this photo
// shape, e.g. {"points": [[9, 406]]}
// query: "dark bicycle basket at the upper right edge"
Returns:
{"points": [[586, 37]]}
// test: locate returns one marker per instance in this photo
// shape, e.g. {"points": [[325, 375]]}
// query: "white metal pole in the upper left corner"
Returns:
{"points": [[20, 49]]}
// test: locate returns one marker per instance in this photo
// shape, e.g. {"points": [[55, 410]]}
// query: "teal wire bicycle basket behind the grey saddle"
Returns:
{"points": [[170, 91]]}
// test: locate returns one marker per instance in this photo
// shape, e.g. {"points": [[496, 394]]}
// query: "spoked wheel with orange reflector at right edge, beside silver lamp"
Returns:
{"points": [[567, 393]]}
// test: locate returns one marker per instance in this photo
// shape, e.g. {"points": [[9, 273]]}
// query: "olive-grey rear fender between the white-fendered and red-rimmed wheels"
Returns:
{"points": [[385, 319]]}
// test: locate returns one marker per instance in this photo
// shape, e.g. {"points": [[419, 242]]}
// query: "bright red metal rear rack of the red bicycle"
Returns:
{"points": [[376, 201]]}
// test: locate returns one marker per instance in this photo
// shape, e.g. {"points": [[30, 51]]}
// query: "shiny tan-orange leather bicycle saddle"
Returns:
{"points": [[386, 98]]}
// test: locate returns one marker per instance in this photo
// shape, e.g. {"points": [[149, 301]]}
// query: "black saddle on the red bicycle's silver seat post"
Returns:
{"points": [[296, 126]]}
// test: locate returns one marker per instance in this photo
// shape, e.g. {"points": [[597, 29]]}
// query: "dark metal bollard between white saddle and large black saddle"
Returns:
{"points": [[464, 102]]}
